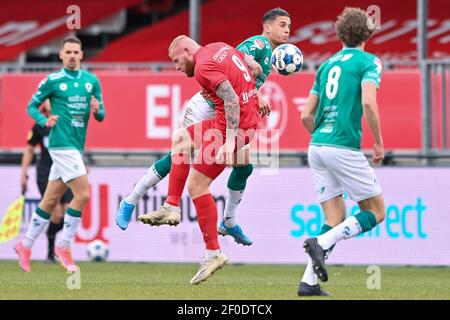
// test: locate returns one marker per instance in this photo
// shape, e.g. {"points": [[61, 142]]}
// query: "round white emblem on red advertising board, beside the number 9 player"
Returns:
{"points": [[276, 123]]}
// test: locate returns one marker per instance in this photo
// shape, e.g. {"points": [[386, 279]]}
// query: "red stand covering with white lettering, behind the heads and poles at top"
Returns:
{"points": [[312, 29]]}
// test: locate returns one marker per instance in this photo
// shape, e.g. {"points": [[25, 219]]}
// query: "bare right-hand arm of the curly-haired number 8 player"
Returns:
{"points": [[371, 114]]}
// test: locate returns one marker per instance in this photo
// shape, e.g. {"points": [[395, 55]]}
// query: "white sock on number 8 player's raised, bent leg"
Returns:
{"points": [[346, 230]]}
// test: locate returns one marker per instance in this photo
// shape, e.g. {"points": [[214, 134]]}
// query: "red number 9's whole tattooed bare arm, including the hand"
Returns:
{"points": [[232, 114]]}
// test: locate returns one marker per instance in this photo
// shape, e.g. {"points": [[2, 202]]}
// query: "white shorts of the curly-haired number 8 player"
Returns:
{"points": [[338, 170]]}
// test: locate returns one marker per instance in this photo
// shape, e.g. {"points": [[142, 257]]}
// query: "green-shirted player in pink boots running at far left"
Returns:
{"points": [[70, 91]]}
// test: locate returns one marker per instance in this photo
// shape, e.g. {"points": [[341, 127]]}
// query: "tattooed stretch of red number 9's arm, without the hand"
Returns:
{"points": [[230, 99]]}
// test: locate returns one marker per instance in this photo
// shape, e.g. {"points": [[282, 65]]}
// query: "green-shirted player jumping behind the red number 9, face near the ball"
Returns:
{"points": [[276, 28]]}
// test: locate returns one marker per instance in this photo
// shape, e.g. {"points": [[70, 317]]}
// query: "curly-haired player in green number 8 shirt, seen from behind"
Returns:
{"points": [[345, 89]]}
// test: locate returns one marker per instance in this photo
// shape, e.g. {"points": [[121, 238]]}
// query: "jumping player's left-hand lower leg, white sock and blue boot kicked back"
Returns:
{"points": [[152, 177]]}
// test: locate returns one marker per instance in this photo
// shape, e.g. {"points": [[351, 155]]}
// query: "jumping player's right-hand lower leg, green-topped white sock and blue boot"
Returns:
{"points": [[236, 186]]}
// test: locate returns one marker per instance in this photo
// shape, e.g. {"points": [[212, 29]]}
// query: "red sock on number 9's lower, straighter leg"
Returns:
{"points": [[207, 220]]}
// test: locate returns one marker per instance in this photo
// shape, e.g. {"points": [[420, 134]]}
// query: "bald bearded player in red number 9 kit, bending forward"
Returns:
{"points": [[223, 73]]}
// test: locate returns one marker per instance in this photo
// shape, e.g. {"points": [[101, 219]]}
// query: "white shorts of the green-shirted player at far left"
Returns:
{"points": [[67, 165]]}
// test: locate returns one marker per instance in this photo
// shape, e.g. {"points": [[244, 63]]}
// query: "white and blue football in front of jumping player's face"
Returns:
{"points": [[287, 59]]}
